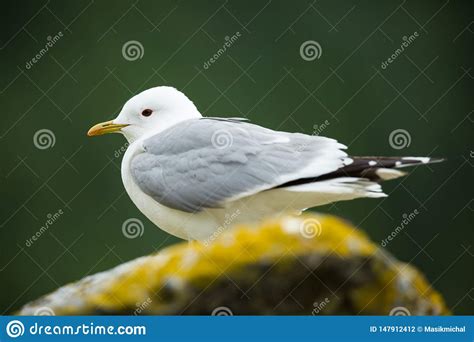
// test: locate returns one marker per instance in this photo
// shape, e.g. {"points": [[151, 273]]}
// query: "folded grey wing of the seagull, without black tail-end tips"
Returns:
{"points": [[204, 163]]}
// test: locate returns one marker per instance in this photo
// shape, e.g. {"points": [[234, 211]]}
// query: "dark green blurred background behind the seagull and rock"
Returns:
{"points": [[84, 78]]}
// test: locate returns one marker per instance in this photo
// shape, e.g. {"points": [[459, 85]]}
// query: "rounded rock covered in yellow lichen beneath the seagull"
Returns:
{"points": [[310, 264]]}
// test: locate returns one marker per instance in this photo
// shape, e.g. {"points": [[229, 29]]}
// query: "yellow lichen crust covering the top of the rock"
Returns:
{"points": [[199, 266]]}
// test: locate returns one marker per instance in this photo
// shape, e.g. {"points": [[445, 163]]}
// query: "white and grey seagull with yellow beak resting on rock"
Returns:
{"points": [[195, 176]]}
